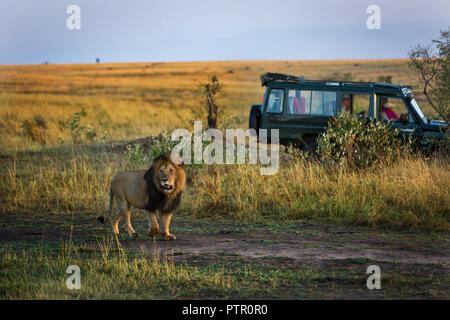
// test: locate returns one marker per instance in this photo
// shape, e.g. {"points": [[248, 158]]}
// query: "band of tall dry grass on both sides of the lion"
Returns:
{"points": [[412, 193]]}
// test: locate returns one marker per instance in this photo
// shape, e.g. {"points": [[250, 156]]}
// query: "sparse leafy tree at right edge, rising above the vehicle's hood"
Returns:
{"points": [[432, 63]]}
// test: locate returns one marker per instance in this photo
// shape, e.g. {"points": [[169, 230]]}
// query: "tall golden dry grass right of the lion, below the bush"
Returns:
{"points": [[411, 193]]}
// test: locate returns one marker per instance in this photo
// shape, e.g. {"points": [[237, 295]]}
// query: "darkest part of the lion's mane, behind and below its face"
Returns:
{"points": [[157, 200]]}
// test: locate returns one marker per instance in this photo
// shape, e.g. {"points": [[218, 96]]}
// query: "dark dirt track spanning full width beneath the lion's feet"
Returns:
{"points": [[296, 243]]}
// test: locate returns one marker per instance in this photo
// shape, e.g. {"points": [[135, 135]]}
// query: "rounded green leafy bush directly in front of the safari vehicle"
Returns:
{"points": [[359, 143]]}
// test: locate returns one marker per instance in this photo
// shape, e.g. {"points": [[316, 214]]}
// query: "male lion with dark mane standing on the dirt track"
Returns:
{"points": [[156, 190]]}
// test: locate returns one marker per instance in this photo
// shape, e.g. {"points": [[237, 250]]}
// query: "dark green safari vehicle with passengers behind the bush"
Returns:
{"points": [[301, 108]]}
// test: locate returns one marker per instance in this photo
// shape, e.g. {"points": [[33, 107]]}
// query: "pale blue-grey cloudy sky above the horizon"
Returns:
{"points": [[34, 31]]}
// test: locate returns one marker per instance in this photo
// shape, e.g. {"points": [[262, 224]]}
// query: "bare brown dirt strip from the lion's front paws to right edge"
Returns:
{"points": [[297, 249]]}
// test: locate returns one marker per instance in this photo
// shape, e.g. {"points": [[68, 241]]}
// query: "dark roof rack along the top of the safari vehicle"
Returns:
{"points": [[280, 77]]}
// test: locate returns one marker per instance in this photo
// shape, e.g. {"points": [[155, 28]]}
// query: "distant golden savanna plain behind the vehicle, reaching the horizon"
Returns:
{"points": [[130, 100]]}
